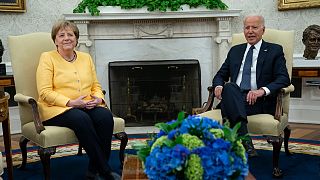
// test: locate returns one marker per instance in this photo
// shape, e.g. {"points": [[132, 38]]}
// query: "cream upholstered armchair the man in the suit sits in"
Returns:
{"points": [[274, 128]]}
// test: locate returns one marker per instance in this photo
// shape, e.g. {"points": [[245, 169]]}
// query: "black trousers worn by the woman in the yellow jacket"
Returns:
{"points": [[94, 129]]}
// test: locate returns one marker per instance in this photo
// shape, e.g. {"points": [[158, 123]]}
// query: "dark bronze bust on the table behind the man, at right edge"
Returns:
{"points": [[311, 39]]}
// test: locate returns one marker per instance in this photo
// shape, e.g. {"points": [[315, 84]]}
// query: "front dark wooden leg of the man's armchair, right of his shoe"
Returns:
{"points": [[276, 143]]}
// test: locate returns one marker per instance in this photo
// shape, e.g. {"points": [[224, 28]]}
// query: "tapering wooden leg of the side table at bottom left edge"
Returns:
{"points": [[7, 145]]}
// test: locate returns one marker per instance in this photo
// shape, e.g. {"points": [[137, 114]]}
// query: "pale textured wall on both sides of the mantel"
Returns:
{"points": [[42, 14]]}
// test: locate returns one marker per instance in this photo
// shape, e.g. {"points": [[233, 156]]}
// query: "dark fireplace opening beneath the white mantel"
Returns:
{"points": [[147, 92]]}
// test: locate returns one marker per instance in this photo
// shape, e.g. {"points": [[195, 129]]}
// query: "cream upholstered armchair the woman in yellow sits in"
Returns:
{"points": [[25, 51]]}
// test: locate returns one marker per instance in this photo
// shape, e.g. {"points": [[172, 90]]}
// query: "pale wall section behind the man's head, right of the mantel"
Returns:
{"points": [[296, 20]]}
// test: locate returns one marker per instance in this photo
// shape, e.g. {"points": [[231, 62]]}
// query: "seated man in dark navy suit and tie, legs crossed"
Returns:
{"points": [[248, 81]]}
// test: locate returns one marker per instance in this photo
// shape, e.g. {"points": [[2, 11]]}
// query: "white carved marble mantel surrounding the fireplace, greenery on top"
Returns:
{"points": [[141, 35]]}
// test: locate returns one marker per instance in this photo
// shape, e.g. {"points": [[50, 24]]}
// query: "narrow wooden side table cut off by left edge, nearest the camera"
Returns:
{"points": [[4, 119]]}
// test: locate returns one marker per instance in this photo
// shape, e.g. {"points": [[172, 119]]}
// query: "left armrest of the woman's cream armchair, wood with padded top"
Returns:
{"points": [[20, 98]]}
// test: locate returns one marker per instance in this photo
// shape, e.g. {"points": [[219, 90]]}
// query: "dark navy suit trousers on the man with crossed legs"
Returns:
{"points": [[234, 106]]}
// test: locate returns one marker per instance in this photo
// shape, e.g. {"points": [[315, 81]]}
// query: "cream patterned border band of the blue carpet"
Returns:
{"points": [[295, 146]]}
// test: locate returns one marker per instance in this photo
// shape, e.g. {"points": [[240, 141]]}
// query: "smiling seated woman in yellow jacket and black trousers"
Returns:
{"points": [[71, 96]]}
